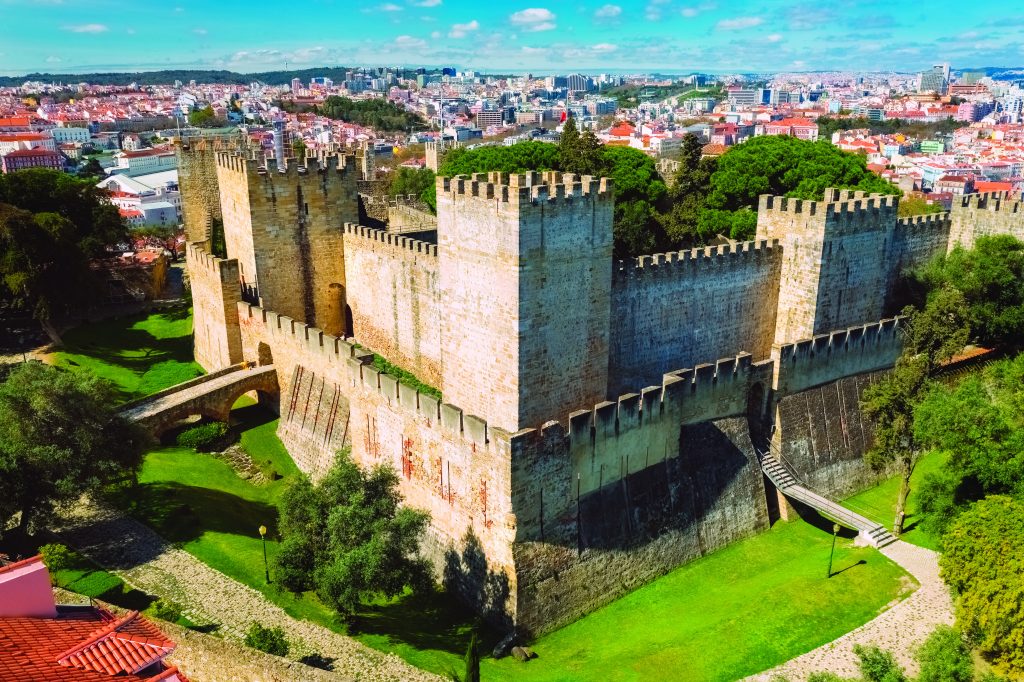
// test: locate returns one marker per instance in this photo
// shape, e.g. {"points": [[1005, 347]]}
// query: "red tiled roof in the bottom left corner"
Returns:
{"points": [[81, 645]]}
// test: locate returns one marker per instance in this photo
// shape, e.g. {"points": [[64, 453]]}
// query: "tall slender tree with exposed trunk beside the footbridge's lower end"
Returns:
{"points": [[931, 337]]}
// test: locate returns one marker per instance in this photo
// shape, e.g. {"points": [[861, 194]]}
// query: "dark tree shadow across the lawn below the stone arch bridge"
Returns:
{"points": [[182, 514]]}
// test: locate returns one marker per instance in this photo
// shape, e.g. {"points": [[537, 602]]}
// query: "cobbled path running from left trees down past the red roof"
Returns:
{"points": [[147, 563]]}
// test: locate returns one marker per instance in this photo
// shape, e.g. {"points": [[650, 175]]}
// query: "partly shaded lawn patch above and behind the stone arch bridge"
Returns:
{"points": [[141, 355]]}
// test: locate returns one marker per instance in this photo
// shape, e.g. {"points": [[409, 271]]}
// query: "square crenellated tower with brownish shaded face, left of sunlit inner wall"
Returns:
{"points": [[285, 225]]}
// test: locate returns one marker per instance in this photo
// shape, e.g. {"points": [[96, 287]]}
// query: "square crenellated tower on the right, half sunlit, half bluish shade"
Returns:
{"points": [[833, 276]]}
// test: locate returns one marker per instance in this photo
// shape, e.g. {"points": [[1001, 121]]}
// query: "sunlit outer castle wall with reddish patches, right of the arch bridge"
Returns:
{"points": [[451, 464]]}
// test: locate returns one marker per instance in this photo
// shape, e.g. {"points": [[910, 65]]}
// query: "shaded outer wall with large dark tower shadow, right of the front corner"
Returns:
{"points": [[635, 488]]}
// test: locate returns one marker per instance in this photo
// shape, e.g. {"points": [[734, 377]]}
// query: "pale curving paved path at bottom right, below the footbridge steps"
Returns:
{"points": [[901, 629]]}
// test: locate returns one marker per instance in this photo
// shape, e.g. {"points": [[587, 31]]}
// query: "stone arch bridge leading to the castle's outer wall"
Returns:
{"points": [[210, 396]]}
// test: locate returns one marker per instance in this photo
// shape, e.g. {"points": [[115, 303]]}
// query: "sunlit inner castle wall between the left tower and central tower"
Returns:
{"points": [[397, 306]]}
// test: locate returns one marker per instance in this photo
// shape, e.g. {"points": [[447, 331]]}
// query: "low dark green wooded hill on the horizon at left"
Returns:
{"points": [[336, 74]]}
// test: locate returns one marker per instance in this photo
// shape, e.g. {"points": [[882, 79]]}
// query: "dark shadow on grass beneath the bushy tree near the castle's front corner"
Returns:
{"points": [[436, 621]]}
